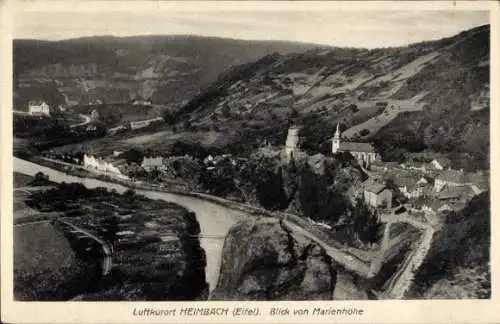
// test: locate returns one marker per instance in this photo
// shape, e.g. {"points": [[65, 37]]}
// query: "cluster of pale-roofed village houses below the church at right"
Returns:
{"points": [[431, 188]]}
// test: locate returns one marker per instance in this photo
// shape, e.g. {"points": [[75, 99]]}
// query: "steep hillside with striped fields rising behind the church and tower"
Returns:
{"points": [[426, 96]]}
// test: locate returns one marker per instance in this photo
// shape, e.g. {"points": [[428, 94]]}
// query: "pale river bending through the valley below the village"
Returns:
{"points": [[215, 221]]}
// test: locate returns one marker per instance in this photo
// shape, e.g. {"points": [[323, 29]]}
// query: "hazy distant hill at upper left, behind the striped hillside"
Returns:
{"points": [[168, 69]]}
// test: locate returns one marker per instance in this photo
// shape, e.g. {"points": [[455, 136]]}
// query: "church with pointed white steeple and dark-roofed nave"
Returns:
{"points": [[365, 153]]}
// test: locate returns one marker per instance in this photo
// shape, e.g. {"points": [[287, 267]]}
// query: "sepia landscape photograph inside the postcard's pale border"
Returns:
{"points": [[250, 155]]}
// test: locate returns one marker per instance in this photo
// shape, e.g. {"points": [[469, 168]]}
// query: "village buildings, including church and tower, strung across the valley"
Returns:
{"points": [[422, 190]]}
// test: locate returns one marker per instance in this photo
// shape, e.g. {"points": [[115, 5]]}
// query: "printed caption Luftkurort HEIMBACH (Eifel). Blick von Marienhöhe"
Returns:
{"points": [[244, 311]]}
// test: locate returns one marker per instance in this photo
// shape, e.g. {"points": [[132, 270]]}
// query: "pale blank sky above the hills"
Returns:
{"points": [[368, 29]]}
